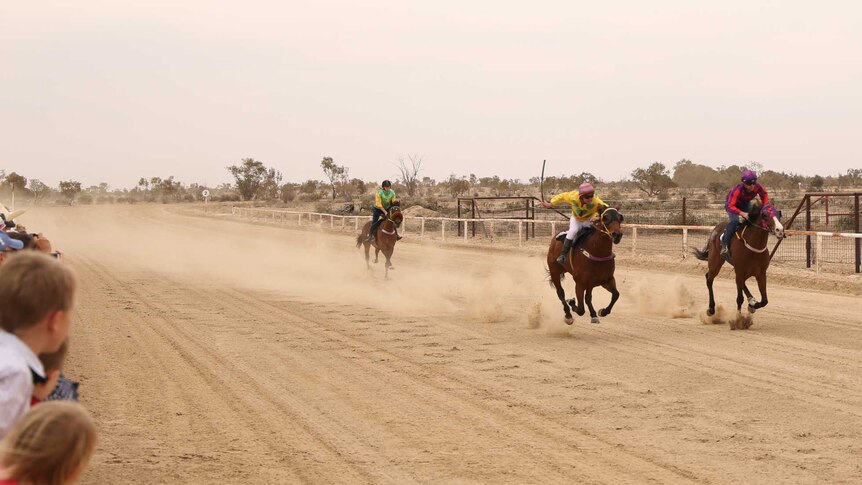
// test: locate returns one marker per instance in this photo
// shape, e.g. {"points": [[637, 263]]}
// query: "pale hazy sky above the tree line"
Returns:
{"points": [[112, 91]]}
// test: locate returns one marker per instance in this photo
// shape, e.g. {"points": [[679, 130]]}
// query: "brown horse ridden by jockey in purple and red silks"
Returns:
{"points": [[748, 249]]}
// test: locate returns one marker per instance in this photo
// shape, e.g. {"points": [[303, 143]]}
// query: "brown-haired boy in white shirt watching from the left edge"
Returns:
{"points": [[36, 297]]}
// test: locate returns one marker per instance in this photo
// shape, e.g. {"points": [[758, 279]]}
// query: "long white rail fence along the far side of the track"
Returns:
{"points": [[827, 247]]}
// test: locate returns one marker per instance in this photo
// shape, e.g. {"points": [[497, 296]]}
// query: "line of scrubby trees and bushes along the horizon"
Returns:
{"points": [[255, 181]]}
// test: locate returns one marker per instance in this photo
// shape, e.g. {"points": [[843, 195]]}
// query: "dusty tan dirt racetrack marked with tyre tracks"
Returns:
{"points": [[214, 351]]}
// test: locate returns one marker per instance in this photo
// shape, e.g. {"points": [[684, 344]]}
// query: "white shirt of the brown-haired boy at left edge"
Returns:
{"points": [[17, 365]]}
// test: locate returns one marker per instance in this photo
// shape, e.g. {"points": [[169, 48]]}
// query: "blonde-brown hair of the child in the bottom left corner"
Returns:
{"points": [[52, 444]]}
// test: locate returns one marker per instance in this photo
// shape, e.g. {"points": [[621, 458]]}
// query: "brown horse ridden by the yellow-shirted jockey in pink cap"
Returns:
{"points": [[591, 265]]}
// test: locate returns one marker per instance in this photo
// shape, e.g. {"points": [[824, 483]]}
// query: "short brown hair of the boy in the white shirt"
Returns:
{"points": [[32, 286]]}
